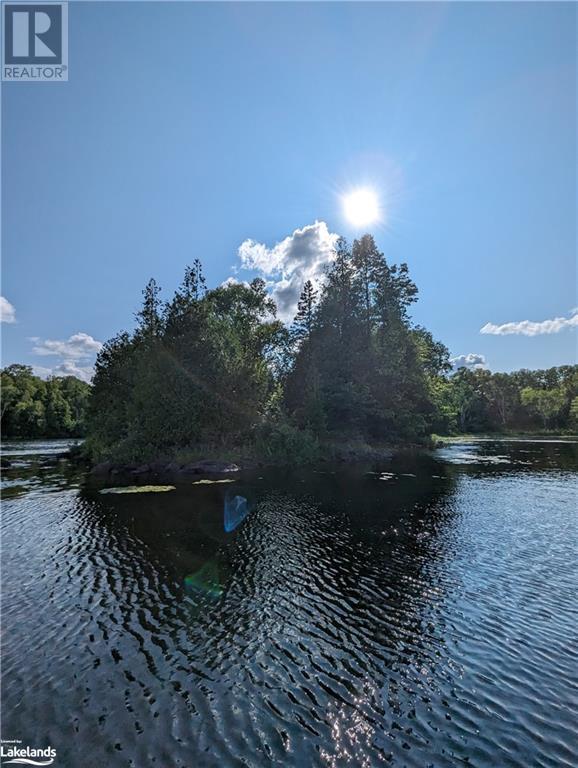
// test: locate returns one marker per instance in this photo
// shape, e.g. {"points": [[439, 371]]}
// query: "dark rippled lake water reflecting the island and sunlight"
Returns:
{"points": [[426, 617]]}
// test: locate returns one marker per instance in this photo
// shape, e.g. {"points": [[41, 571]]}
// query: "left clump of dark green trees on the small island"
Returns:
{"points": [[197, 371]]}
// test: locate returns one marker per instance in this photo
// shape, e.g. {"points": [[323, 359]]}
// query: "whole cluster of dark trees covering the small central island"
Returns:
{"points": [[215, 367]]}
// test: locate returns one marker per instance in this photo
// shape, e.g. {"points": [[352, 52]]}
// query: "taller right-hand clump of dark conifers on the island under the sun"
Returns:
{"points": [[359, 368]]}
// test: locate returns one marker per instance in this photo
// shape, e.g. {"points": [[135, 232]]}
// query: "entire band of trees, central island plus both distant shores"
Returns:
{"points": [[215, 369]]}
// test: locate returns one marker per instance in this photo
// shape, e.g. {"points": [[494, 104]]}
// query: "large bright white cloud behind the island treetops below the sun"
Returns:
{"points": [[301, 256]]}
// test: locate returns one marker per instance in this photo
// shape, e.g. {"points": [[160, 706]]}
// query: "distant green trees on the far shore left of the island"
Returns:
{"points": [[32, 407]]}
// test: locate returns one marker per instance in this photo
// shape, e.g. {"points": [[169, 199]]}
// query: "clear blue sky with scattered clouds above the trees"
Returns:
{"points": [[232, 132]]}
